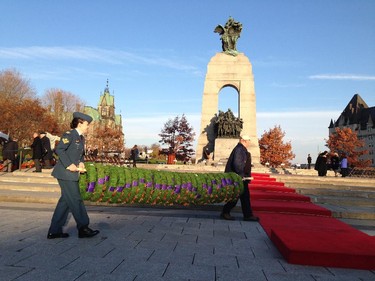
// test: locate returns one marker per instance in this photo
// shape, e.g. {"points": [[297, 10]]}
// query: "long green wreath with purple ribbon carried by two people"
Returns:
{"points": [[124, 185]]}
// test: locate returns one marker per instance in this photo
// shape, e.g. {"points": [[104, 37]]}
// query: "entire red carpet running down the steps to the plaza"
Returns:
{"points": [[305, 233]]}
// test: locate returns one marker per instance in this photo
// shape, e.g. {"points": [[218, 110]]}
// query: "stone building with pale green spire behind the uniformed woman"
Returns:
{"points": [[105, 132]]}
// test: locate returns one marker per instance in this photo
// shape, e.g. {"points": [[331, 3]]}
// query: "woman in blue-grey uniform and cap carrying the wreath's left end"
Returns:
{"points": [[70, 151]]}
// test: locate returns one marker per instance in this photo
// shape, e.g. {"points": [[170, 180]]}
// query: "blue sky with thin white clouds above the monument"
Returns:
{"points": [[309, 58]]}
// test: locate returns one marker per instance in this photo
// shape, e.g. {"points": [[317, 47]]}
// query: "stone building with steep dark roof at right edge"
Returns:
{"points": [[360, 118]]}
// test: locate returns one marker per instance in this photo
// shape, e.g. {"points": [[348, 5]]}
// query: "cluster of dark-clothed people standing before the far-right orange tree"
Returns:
{"points": [[332, 161]]}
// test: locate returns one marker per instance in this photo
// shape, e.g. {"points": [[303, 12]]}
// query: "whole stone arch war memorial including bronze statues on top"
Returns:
{"points": [[228, 68]]}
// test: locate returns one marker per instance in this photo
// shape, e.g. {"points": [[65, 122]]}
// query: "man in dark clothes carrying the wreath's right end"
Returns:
{"points": [[239, 162]]}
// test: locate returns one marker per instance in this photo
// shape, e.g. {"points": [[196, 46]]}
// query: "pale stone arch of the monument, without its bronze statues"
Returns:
{"points": [[228, 71]]}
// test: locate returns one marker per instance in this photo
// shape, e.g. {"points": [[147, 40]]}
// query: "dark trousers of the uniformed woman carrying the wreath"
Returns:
{"points": [[70, 200]]}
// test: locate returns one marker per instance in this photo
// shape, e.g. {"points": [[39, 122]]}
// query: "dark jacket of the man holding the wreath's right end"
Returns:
{"points": [[237, 161]]}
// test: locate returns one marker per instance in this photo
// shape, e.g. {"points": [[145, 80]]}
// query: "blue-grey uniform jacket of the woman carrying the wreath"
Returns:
{"points": [[70, 150]]}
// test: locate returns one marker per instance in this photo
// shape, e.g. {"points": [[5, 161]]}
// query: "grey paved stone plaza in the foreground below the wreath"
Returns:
{"points": [[147, 244]]}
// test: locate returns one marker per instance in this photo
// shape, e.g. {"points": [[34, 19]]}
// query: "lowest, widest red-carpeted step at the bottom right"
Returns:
{"points": [[319, 241]]}
